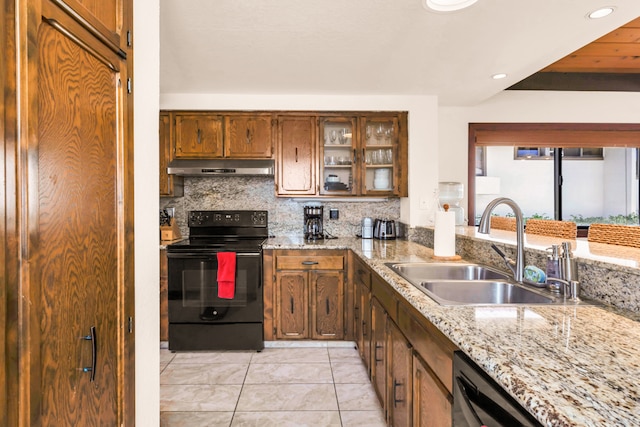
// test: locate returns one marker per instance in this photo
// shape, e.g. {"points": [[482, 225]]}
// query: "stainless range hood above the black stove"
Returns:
{"points": [[221, 167]]}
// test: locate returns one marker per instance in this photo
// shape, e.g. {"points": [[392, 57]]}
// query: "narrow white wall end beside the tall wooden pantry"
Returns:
{"points": [[146, 84]]}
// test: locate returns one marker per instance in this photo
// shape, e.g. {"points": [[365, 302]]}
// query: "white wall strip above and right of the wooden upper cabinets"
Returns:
{"points": [[423, 112]]}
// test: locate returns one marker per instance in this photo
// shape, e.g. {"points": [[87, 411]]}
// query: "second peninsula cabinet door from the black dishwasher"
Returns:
{"points": [[400, 377]]}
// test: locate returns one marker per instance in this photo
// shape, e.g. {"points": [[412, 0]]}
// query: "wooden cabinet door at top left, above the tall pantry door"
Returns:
{"points": [[104, 19]]}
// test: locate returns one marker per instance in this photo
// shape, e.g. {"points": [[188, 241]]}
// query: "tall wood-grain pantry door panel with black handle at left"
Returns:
{"points": [[76, 261]]}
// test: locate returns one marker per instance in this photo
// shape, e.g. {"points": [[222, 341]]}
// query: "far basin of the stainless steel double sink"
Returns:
{"points": [[416, 272]]}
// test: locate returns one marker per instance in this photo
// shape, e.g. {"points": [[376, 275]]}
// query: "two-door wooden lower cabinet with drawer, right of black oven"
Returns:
{"points": [[304, 296]]}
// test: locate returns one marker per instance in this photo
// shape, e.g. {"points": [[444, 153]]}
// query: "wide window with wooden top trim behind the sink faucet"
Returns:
{"points": [[603, 188]]}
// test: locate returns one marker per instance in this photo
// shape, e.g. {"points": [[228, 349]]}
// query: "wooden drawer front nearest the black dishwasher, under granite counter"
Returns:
{"points": [[433, 347]]}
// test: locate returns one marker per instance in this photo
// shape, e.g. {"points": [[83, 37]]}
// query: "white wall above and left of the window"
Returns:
{"points": [[526, 106]]}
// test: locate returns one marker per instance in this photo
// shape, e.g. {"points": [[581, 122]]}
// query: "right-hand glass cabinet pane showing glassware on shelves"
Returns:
{"points": [[380, 148]]}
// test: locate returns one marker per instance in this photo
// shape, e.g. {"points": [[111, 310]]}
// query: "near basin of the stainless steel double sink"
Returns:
{"points": [[479, 292]]}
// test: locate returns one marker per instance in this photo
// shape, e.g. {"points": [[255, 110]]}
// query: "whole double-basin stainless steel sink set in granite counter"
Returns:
{"points": [[472, 284]]}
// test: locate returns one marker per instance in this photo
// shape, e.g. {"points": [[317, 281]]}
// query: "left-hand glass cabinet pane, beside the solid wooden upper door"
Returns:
{"points": [[338, 155]]}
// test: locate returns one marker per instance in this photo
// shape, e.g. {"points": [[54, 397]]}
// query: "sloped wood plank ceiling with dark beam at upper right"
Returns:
{"points": [[610, 63]]}
